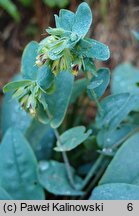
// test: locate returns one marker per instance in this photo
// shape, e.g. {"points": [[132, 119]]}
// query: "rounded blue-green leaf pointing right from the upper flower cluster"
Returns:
{"points": [[98, 51]]}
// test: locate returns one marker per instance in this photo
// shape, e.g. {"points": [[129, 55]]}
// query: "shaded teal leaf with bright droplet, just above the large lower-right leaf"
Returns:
{"points": [[108, 138]]}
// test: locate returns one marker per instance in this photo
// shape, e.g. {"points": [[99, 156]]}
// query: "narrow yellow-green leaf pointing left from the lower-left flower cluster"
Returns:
{"points": [[11, 86]]}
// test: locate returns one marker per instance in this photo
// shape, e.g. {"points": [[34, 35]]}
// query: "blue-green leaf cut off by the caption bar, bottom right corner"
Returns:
{"points": [[117, 191]]}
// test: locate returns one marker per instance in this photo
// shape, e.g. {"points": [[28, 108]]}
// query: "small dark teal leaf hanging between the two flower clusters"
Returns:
{"points": [[45, 77]]}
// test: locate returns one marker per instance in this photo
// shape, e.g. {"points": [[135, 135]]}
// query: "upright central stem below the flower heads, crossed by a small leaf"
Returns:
{"points": [[64, 155]]}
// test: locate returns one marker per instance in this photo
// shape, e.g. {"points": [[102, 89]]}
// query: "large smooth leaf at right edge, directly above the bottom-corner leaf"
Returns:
{"points": [[124, 168]]}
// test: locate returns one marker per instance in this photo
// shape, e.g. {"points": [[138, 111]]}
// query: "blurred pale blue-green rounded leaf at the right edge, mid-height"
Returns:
{"points": [[125, 78]]}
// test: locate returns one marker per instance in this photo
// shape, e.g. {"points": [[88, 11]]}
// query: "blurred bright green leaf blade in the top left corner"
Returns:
{"points": [[11, 8]]}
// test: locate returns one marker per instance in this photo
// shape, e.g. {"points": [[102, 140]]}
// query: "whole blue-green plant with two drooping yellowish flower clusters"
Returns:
{"points": [[42, 124]]}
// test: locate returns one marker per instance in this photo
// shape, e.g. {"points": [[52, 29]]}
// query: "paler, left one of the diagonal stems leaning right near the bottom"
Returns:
{"points": [[93, 170]]}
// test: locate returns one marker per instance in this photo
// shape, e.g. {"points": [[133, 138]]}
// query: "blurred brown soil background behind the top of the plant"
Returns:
{"points": [[112, 25]]}
